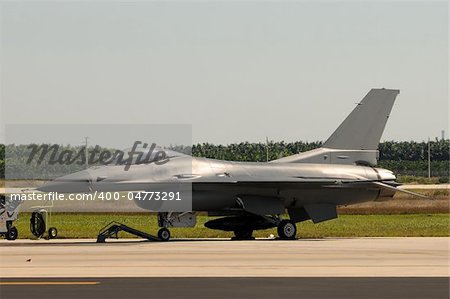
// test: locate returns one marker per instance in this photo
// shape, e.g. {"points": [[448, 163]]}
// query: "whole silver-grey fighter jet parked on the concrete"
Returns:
{"points": [[248, 196]]}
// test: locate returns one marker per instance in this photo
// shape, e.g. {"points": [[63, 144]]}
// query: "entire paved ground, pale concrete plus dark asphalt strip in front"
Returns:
{"points": [[218, 268]]}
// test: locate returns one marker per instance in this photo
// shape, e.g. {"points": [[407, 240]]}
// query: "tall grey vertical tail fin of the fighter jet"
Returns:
{"points": [[363, 128]]}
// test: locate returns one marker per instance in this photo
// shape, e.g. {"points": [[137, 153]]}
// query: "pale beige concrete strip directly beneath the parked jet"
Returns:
{"points": [[335, 257]]}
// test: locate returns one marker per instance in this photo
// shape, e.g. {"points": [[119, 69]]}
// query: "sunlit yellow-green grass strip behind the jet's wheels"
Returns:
{"points": [[412, 225]]}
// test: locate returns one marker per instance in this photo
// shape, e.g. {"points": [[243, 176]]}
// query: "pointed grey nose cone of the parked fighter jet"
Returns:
{"points": [[73, 183]]}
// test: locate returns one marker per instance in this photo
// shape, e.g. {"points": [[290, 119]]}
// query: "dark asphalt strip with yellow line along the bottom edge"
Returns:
{"points": [[226, 288]]}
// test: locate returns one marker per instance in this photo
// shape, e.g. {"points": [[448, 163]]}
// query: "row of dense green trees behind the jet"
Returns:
{"points": [[404, 158]]}
